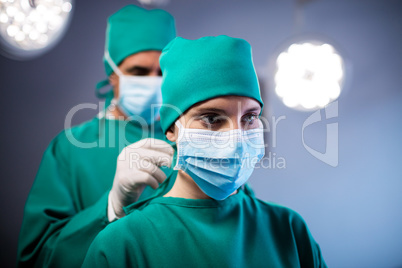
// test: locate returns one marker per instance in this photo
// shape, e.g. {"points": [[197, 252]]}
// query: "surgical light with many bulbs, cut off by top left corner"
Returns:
{"points": [[30, 27]]}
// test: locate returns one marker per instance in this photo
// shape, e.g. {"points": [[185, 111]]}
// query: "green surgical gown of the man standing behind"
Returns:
{"points": [[67, 205]]}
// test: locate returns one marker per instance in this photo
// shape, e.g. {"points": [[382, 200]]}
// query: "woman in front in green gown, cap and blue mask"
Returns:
{"points": [[209, 218]]}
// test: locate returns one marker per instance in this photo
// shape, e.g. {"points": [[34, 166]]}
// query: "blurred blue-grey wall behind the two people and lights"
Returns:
{"points": [[353, 207]]}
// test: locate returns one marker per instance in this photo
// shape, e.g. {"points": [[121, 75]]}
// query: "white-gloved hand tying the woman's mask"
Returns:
{"points": [[137, 166]]}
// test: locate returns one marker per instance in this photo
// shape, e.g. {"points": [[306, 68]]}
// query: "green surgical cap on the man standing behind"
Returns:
{"points": [[133, 29]]}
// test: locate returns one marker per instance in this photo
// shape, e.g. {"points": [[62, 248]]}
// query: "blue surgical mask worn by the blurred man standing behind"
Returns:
{"points": [[139, 96]]}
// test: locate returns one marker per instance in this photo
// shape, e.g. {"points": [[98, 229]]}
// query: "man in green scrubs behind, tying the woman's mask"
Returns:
{"points": [[80, 186]]}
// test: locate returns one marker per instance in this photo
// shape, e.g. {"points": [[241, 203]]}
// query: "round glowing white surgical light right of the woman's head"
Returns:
{"points": [[309, 75]]}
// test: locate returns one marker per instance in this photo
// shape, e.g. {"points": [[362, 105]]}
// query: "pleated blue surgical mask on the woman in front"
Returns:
{"points": [[219, 162]]}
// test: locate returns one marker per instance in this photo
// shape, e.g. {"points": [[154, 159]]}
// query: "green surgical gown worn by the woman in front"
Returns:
{"points": [[240, 231]]}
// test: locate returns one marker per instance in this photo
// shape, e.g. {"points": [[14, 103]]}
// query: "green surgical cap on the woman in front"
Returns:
{"points": [[198, 70]]}
